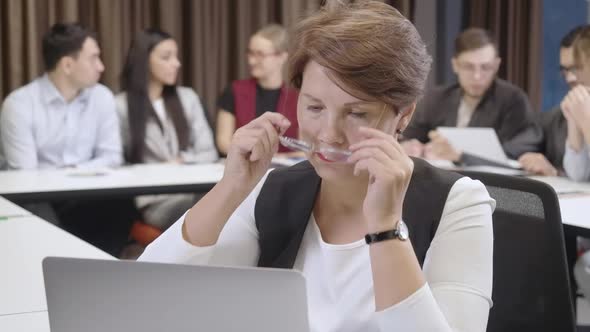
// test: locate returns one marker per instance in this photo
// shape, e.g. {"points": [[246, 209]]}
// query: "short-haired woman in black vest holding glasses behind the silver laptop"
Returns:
{"points": [[340, 223]]}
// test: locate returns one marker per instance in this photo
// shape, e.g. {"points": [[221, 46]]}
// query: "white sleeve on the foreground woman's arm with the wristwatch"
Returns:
{"points": [[458, 269]]}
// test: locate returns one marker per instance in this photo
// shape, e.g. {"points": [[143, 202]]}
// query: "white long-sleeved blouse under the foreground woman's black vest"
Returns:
{"points": [[457, 267]]}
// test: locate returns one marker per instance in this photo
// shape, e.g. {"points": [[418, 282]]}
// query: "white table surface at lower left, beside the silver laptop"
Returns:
{"points": [[24, 242]]}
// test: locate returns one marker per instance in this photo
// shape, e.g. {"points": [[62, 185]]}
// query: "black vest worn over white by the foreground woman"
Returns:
{"points": [[287, 198]]}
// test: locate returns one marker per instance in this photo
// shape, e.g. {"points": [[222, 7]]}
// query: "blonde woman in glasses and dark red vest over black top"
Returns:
{"points": [[245, 100]]}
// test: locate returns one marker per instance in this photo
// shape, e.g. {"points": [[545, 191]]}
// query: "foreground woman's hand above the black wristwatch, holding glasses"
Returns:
{"points": [[389, 169]]}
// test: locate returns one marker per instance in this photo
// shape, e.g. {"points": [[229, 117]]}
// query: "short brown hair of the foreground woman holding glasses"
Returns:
{"points": [[370, 50]]}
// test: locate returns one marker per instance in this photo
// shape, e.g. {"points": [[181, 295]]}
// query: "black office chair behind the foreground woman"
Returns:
{"points": [[531, 288]]}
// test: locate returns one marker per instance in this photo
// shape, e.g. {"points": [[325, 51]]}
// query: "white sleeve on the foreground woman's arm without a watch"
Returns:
{"points": [[237, 244]]}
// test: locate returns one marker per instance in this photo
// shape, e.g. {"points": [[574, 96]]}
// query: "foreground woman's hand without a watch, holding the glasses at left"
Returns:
{"points": [[252, 149]]}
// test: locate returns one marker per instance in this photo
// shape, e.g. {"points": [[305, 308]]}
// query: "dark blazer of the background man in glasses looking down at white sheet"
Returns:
{"points": [[504, 107]]}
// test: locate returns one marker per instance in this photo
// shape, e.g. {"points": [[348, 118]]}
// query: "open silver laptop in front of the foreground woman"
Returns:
{"points": [[100, 295]]}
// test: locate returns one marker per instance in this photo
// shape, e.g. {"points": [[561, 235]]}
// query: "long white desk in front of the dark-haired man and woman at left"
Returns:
{"points": [[43, 185]]}
